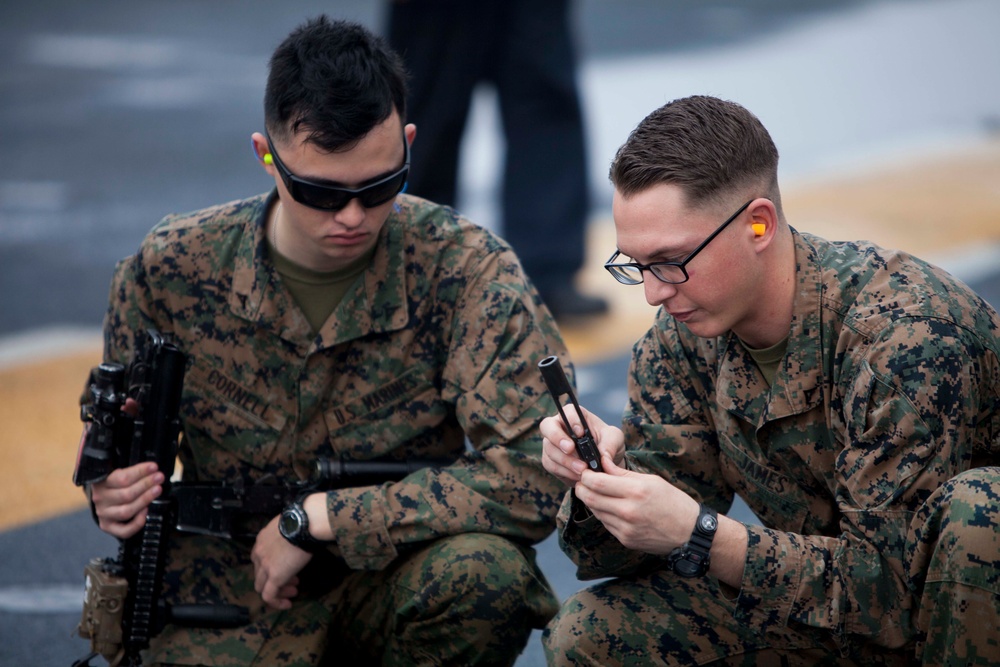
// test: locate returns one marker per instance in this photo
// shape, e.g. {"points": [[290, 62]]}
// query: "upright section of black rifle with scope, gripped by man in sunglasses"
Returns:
{"points": [[122, 608]]}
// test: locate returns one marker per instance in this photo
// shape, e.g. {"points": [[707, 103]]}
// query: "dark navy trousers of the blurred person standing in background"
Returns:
{"points": [[525, 50]]}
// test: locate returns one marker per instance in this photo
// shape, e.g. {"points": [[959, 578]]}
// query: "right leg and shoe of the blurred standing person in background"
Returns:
{"points": [[546, 198]]}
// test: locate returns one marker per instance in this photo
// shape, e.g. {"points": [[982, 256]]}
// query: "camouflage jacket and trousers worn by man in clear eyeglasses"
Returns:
{"points": [[870, 459]]}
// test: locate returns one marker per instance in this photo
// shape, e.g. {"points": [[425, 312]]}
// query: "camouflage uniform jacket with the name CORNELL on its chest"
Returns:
{"points": [[437, 341]]}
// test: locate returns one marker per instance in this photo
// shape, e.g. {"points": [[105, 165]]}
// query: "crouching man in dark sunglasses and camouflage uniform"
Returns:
{"points": [[336, 319]]}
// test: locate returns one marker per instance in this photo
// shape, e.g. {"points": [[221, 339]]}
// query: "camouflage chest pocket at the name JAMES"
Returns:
{"points": [[773, 496]]}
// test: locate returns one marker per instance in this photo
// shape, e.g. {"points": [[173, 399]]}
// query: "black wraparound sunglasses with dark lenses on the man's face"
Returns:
{"points": [[332, 197]]}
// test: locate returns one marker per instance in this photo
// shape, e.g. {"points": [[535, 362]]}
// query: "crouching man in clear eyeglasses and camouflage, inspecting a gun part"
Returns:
{"points": [[850, 394]]}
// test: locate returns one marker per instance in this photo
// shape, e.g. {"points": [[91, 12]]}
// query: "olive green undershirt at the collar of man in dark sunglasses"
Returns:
{"points": [[318, 293]]}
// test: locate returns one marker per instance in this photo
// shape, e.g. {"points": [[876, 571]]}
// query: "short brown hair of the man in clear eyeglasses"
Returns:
{"points": [[707, 146]]}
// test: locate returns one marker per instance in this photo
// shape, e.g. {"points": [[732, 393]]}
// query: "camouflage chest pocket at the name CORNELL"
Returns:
{"points": [[227, 424]]}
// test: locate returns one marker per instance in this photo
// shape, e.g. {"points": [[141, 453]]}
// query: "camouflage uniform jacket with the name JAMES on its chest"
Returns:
{"points": [[890, 385]]}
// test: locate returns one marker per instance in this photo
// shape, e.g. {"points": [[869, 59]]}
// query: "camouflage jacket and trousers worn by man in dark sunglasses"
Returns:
{"points": [[431, 354]]}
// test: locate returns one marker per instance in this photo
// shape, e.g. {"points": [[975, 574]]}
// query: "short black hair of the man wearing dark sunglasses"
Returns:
{"points": [[334, 80]]}
